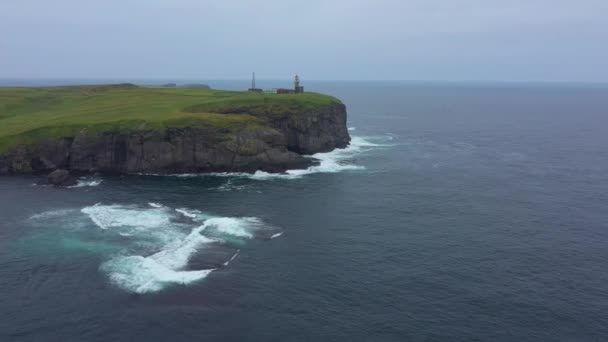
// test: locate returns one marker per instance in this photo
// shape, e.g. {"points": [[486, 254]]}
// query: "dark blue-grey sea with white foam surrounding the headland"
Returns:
{"points": [[460, 213]]}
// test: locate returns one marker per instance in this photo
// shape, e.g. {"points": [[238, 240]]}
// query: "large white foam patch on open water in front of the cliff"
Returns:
{"points": [[163, 261]]}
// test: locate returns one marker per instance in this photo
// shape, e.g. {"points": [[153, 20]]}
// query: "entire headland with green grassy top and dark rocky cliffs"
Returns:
{"points": [[95, 125]]}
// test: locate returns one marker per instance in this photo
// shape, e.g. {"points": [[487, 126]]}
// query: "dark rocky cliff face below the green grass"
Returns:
{"points": [[276, 145]]}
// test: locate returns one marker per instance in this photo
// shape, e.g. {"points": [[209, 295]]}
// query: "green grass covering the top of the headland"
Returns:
{"points": [[30, 114]]}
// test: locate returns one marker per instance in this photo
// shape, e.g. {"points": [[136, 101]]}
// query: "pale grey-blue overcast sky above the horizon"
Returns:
{"points": [[454, 40]]}
